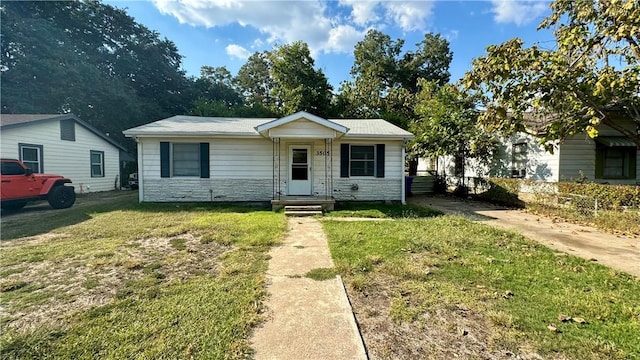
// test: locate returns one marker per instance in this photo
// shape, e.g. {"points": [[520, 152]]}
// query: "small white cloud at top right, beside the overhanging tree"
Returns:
{"points": [[518, 12]]}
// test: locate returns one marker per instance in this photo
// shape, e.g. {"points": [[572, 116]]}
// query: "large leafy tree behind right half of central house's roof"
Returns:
{"points": [[385, 80]]}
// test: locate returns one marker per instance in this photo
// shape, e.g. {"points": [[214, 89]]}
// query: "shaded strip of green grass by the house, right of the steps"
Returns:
{"points": [[380, 210]]}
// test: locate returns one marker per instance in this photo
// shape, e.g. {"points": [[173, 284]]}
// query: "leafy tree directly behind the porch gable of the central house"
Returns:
{"points": [[297, 85]]}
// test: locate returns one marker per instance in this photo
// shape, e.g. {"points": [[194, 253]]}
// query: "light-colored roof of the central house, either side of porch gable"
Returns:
{"points": [[192, 126]]}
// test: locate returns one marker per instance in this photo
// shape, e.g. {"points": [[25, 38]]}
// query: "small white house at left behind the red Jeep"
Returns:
{"points": [[63, 145]]}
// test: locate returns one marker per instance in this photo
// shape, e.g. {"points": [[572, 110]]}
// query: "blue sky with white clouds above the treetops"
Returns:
{"points": [[226, 32]]}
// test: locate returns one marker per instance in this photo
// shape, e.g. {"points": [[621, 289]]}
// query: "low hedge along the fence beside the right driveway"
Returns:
{"points": [[590, 196]]}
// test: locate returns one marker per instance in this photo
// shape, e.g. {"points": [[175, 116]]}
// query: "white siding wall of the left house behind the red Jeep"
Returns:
{"points": [[68, 158]]}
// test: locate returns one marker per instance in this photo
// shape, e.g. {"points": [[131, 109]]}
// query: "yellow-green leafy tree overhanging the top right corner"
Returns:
{"points": [[593, 72]]}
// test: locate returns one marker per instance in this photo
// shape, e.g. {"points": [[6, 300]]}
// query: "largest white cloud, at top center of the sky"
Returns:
{"points": [[289, 21]]}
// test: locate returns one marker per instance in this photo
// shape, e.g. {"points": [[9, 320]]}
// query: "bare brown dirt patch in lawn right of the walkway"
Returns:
{"points": [[445, 332]]}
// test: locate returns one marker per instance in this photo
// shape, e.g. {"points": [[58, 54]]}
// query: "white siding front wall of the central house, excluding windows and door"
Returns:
{"points": [[242, 170]]}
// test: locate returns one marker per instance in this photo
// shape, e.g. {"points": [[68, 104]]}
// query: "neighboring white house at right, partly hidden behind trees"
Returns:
{"points": [[609, 158]]}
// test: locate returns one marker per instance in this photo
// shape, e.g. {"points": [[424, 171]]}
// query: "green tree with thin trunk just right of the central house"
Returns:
{"points": [[447, 124]]}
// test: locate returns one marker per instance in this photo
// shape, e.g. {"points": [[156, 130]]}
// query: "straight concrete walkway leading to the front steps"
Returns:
{"points": [[307, 319]]}
